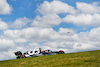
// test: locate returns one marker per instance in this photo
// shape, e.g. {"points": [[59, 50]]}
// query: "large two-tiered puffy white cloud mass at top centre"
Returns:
{"points": [[50, 11]]}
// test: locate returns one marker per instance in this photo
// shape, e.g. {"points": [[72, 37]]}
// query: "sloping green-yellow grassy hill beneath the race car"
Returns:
{"points": [[81, 59]]}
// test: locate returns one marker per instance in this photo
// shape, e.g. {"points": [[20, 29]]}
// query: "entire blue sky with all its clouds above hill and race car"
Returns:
{"points": [[29, 24]]}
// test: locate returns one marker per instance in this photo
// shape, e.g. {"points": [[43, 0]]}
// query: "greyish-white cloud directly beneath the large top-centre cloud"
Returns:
{"points": [[48, 20]]}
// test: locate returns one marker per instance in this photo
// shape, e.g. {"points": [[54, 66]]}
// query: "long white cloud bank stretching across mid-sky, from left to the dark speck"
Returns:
{"points": [[36, 34]]}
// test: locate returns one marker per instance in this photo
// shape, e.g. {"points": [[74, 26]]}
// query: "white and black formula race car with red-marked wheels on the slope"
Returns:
{"points": [[37, 52]]}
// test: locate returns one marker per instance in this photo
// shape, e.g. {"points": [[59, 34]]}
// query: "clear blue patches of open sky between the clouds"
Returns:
{"points": [[28, 8]]}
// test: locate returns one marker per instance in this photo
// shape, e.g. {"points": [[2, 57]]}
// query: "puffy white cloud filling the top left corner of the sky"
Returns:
{"points": [[5, 8]]}
